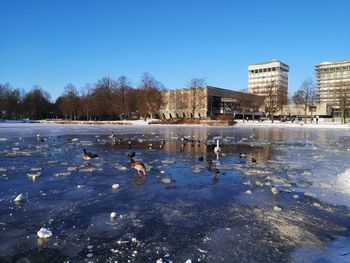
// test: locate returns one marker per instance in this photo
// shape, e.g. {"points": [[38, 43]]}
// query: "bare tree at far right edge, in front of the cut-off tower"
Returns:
{"points": [[342, 98]]}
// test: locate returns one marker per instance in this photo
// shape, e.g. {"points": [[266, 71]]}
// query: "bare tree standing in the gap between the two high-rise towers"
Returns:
{"points": [[305, 96]]}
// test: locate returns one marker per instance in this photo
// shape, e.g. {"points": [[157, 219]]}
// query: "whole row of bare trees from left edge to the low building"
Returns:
{"points": [[107, 99]]}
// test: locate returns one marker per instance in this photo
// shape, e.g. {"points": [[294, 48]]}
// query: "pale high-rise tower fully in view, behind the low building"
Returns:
{"points": [[263, 75]]}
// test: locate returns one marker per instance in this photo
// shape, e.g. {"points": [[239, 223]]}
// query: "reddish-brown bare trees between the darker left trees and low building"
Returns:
{"points": [[111, 99]]}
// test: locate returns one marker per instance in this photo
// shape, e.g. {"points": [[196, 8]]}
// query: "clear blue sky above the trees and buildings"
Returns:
{"points": [[55, 42]]}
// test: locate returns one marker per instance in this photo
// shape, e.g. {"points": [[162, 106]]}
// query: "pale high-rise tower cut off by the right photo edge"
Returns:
{"points": [[330, 76]]}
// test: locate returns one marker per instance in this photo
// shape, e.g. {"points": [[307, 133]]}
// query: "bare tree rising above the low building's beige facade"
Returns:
{"points": [[196, 94]]}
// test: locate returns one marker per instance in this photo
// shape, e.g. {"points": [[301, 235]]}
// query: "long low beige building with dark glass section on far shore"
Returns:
{"points": [[208, 101]]}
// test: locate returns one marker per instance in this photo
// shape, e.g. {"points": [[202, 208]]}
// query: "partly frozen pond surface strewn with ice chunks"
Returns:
{"points": [[289, 205]]}
